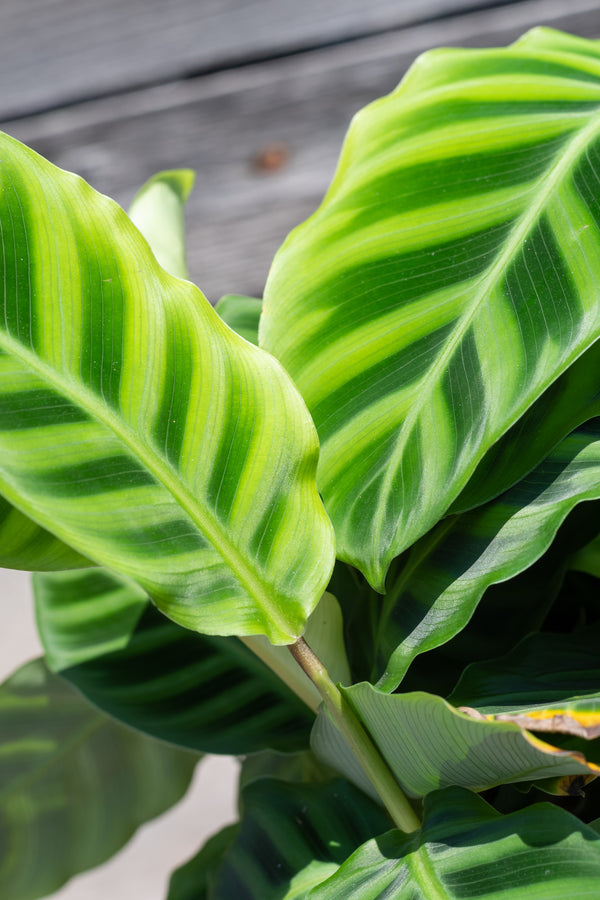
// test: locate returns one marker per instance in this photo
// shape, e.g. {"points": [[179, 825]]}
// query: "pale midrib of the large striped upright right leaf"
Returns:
{"points": [[514, 242]]}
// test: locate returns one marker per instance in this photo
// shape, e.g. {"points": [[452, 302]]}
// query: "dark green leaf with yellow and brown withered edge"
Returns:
{"points": [[549, 682]]}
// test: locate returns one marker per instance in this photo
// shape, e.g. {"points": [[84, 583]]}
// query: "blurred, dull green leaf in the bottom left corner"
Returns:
{"points": [[75, 785]]}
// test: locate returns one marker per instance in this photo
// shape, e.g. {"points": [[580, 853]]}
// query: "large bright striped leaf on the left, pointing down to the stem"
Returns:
{"points": [[139, 429]]}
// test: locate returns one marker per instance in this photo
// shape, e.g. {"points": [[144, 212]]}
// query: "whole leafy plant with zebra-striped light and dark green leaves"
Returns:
{"points": [[395, 475]]}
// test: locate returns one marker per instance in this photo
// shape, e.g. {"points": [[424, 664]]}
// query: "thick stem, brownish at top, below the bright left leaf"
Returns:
{"points": [[375, 767]]}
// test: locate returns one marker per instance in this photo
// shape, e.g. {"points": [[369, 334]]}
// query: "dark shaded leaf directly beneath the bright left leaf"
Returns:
{"points": [[209, 694]]}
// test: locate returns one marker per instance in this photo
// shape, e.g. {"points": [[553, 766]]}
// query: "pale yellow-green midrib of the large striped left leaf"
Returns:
{"points": [[207, 524]]}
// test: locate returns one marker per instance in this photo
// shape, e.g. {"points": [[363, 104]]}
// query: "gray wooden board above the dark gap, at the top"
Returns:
{"points": [[53, 52]]}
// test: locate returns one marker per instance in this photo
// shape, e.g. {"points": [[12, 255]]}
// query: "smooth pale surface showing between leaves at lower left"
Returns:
{"points": [[143, 868]]}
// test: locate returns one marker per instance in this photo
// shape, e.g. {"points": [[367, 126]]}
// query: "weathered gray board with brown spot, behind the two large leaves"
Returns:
{"points": [[238, 215]]}
